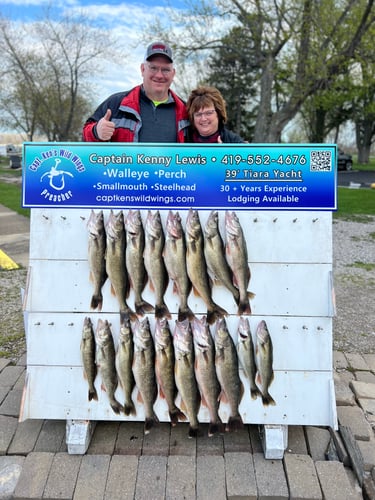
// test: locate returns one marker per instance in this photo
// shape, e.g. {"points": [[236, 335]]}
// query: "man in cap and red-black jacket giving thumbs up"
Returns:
{"points": [[149, 112]]}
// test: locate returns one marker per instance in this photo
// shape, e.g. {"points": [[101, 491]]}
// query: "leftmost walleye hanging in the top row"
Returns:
{"points": [[96, 257]]}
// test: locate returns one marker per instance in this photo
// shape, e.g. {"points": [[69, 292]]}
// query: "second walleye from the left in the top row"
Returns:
{"points": [[115, 262]]}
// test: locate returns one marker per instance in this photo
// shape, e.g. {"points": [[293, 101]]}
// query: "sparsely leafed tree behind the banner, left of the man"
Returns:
{"points": [[45, 67]]}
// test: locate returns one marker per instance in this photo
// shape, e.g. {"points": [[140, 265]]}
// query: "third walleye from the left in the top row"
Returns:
{"points": [[135, 243]]}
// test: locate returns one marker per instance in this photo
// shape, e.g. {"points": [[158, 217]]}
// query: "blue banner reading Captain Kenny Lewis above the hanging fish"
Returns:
{"points": [[171, 176]]}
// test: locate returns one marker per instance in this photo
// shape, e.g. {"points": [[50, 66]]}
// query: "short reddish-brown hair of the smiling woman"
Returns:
{"points": [[205, 97]]}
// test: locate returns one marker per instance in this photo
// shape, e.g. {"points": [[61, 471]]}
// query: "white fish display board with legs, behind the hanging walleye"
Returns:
{"points": [[290, 257]]}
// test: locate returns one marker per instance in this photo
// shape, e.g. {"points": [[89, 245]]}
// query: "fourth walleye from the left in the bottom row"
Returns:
{"points": [[144, 370]]}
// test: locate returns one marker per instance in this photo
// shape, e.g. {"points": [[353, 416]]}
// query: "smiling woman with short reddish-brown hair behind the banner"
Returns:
{"points": [[207, 114]]}
